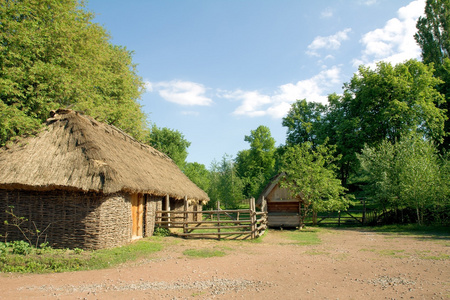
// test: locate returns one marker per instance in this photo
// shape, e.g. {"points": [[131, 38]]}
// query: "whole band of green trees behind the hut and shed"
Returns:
{"points": [[386, 138]]}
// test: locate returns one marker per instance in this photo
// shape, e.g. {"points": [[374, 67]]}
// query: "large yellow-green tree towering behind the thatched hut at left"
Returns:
{"points": [[53, 56]]}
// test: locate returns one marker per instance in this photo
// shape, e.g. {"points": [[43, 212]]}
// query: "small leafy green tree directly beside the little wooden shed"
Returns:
{"points": [[310, 174]]}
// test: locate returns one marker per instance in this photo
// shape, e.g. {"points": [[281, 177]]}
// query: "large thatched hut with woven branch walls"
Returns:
{"points": [[93, 185]]}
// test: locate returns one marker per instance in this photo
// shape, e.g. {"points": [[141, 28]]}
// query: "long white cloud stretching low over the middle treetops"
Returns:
{"points": [[255, 104]]}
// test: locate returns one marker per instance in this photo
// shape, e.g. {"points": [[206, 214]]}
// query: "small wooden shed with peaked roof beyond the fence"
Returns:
{"points": [[283, 209]]}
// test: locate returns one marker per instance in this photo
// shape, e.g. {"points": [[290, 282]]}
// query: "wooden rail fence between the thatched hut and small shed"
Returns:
{"points": [[229, 223]]}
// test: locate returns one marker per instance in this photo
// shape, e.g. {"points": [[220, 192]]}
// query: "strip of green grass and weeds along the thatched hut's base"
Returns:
{"points": [[50, 260]]}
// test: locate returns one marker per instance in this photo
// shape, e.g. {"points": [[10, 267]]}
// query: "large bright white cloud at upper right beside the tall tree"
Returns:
{"points": [[394, 42]]}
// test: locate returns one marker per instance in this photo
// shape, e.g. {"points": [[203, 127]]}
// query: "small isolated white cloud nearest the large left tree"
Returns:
{"points": [[180, 92]]}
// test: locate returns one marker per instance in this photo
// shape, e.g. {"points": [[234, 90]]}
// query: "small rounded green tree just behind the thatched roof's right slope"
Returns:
{"points": [[170, 142]]}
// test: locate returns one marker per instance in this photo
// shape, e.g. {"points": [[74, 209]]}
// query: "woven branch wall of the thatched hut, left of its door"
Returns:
{"points": [[75, 219]]}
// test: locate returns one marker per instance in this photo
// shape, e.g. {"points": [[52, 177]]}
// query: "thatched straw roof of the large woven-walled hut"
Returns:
{"points": [[75, 152]]}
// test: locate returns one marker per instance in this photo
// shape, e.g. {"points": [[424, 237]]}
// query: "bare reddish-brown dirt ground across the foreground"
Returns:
{"points": [[347, 264]]}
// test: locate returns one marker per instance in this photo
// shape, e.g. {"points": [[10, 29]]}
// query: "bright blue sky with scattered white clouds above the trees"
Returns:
{"points": [[217, 69]]}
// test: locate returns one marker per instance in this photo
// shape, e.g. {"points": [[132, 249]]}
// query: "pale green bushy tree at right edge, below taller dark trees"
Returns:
{"points": [[407, 174]]}
